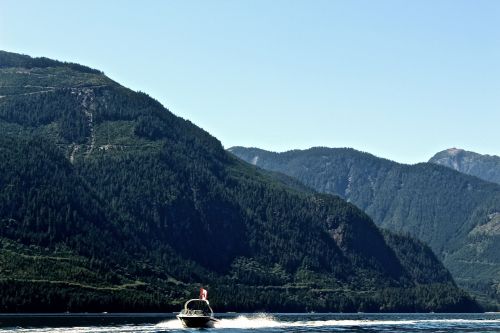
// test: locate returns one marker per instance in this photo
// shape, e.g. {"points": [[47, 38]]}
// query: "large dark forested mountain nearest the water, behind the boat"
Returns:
{"points": [[109, 202]]}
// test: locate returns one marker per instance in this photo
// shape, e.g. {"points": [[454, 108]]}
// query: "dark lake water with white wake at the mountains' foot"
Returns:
{"points": [[255, 323]]}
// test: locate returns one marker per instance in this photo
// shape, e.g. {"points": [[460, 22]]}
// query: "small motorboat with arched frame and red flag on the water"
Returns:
{"points": [[197, 312]]}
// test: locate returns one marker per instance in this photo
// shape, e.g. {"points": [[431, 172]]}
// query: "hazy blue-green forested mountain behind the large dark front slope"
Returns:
{"points": [[456, 214]]}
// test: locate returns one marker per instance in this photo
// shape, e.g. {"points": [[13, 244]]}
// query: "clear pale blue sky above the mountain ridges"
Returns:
{"points": [[399, 79]]}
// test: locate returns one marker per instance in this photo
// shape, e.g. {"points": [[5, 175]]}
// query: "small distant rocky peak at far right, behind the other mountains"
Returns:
{"points": [[486, 167]]}
